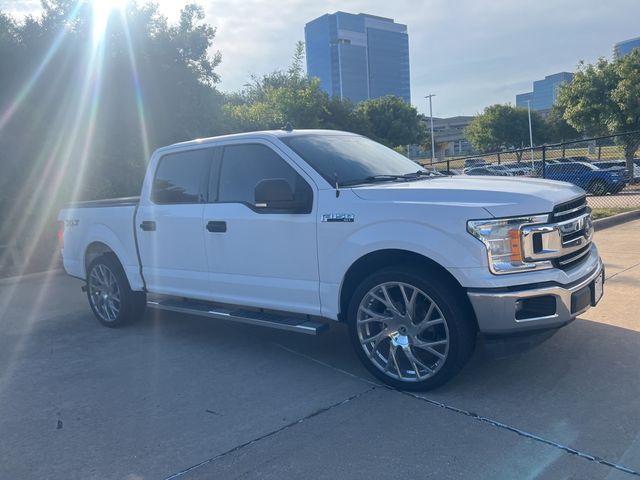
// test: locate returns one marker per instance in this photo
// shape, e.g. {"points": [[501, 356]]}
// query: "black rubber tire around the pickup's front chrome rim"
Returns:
{"points": [[452, 304]]}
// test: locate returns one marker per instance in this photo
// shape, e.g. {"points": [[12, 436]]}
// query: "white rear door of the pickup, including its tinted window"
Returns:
{"points": [[169, 225]]}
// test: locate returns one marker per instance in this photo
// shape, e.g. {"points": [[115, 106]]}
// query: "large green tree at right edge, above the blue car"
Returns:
{"points": [[603, 98]]}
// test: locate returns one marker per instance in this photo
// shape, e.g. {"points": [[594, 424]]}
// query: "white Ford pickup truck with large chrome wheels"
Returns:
{"points": [[295, 229]]}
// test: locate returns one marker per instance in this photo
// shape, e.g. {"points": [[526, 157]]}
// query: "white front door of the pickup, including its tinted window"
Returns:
{"points": [[256, 257]]}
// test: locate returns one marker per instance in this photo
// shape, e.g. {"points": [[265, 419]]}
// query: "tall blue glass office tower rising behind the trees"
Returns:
{"points": [[358, 56]]}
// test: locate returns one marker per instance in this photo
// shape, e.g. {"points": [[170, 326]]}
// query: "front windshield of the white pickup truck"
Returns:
{"points": [[352, 159]]}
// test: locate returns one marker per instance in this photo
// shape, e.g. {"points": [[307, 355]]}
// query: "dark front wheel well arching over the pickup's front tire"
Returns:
{"points": [[379, 259]]}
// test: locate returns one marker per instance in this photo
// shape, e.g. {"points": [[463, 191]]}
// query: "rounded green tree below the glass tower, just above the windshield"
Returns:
{"points": [[389, 120]]}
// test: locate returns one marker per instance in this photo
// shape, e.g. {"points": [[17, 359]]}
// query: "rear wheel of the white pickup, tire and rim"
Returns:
{"points": [[131, 304]]}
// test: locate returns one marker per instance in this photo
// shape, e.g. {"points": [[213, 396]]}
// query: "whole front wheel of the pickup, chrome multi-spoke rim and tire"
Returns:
{"points": [[412, 328]]}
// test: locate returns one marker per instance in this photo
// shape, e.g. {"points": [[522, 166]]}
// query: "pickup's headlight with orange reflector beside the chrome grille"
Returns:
{"points": [[503, 239]]}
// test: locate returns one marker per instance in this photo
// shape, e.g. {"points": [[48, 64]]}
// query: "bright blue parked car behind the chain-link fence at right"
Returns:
{"points": [[588, 177]]}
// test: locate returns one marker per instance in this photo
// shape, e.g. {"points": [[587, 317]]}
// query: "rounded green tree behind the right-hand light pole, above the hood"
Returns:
{"points": [[504, 126]]}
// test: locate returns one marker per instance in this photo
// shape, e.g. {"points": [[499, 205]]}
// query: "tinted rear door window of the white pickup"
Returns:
{"points": [[180, 177]]}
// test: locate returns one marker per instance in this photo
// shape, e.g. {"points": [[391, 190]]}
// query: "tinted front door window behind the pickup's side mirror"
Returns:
{"points": [[243, 166]]}
